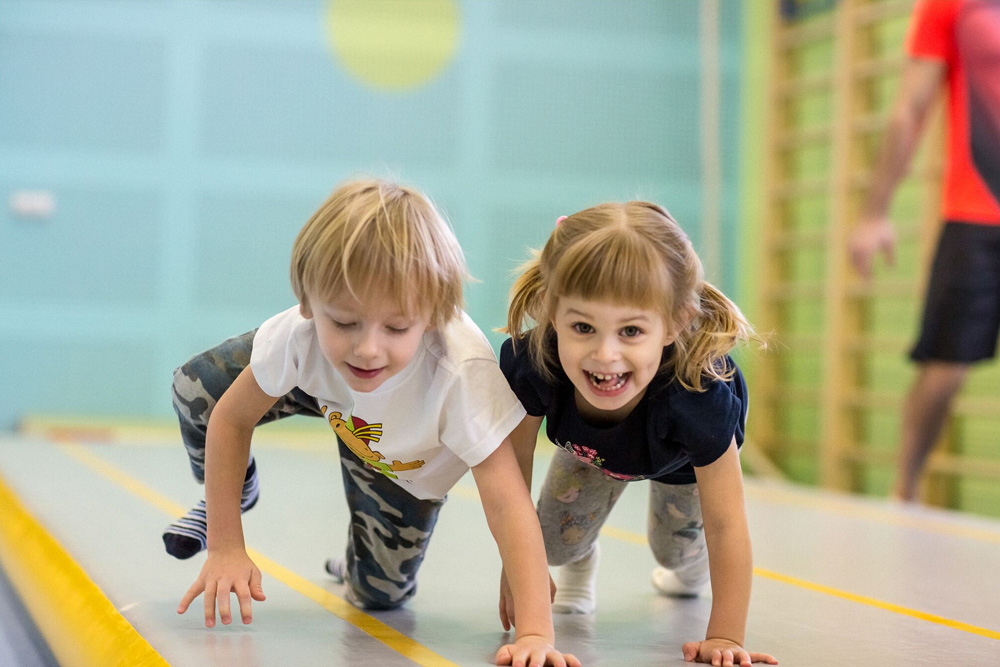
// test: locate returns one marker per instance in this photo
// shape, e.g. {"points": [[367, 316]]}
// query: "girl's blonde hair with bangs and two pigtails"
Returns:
{"points": [[633, 253]]}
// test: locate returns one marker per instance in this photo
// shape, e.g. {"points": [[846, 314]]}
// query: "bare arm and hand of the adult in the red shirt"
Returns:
{"points": [[920, 85]]}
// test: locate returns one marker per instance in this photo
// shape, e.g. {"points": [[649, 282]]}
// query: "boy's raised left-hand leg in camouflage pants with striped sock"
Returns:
{"points": [[197, 387]]}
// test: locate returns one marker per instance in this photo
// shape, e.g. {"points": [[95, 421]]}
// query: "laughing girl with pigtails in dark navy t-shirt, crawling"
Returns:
{"points": [[627, 362]]}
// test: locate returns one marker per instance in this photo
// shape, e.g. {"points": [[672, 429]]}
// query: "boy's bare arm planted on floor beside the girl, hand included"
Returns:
{"points": [[514, 524]]}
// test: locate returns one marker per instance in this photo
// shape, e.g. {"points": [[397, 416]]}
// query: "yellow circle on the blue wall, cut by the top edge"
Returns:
{"points": [[393, 44]]}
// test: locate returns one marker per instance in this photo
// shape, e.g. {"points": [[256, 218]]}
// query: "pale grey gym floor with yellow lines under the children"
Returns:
{"points": [[839, 580]]}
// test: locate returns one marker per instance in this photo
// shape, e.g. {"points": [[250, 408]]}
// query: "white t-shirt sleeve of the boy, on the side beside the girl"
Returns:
{"points": [[479, 411]]}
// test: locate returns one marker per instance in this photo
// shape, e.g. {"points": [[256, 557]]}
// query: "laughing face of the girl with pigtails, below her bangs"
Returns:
{"points": [[610, 353]]}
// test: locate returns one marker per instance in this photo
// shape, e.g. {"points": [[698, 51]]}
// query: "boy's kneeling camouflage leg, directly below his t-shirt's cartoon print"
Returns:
{"points": [[387, 539]]}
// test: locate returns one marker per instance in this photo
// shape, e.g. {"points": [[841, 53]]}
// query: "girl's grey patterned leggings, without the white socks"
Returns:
{"points": [[576, 499]]}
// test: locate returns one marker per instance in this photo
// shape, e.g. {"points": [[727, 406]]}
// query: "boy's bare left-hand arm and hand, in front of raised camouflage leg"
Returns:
{"points": [[227, 568]]}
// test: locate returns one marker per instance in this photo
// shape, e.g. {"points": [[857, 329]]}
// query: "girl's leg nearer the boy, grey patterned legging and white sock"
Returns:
{"points": [[574, 503]]}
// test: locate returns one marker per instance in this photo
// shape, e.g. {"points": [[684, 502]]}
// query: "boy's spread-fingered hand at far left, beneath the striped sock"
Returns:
{"points": [[223, 573]]}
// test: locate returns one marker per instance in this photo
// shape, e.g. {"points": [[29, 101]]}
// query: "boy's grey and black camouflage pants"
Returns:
{"points": [[389, 530]]}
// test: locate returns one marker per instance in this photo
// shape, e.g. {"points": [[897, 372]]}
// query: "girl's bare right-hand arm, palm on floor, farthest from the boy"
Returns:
{"points": [[720, 487]]}
